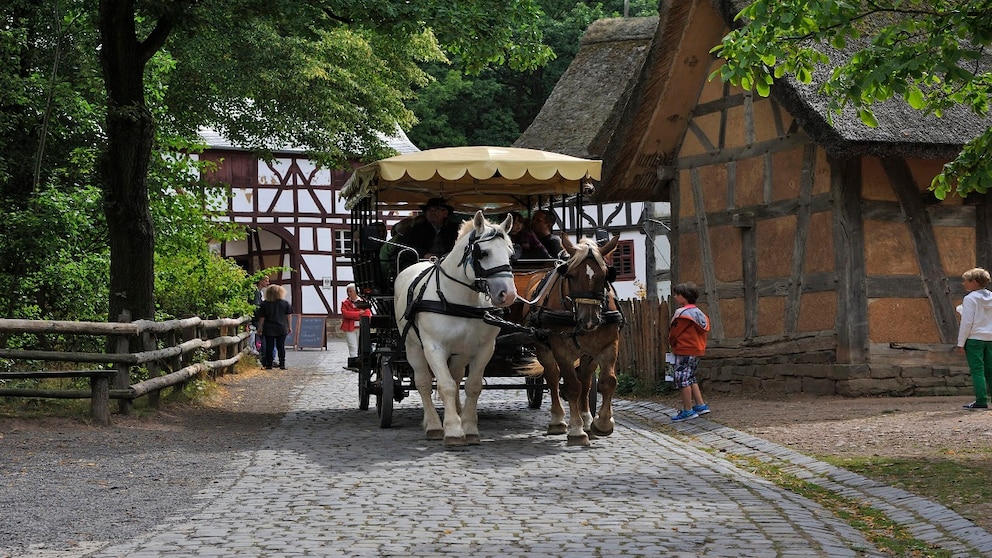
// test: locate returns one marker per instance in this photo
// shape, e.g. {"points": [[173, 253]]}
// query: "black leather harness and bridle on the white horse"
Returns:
{"points": [[473, 254]]}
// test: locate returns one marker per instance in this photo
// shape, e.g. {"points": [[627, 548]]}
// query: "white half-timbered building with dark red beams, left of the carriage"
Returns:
{"points": [[294, 218]]}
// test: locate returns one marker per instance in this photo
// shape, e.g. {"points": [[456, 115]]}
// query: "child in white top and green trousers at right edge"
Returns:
{"points": [[975, 333]]}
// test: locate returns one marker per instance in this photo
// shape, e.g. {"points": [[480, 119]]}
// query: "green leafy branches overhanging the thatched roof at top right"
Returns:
{"points": [[931, 53]]}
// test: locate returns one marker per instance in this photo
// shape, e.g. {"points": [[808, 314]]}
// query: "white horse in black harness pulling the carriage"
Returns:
{"points": [[439, 308]]}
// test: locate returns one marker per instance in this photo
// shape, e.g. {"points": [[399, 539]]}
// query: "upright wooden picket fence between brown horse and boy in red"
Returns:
{"points": [[644, 340]]}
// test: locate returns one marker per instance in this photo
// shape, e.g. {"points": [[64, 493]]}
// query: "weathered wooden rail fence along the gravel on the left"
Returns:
{"points": [[173, 352]]}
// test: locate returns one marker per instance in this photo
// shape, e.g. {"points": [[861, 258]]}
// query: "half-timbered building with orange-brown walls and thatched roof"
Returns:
{"points": [[824, 262]]}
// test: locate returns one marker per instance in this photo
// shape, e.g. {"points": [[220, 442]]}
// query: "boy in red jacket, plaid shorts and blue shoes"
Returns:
{"points": [[687, 341]]}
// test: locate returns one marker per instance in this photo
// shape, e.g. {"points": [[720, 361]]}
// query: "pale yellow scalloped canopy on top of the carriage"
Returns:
{"points": [[470, 178]]}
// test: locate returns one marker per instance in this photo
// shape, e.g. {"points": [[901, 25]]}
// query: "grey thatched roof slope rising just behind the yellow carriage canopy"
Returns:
{"points": [[580, 116]]}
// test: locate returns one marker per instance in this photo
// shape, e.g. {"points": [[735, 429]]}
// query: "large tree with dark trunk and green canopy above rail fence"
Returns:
{"points": [[330, 75]]}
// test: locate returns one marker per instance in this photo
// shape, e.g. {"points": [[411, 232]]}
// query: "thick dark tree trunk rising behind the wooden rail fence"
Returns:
{"points": [[124, 164]]}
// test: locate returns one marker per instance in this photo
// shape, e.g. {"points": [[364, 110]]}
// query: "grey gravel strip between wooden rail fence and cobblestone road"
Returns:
{"points": [[63, 481]]}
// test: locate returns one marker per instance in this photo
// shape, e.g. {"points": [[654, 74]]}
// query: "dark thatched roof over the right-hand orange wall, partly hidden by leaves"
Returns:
{"points": [[902, 130]]}
